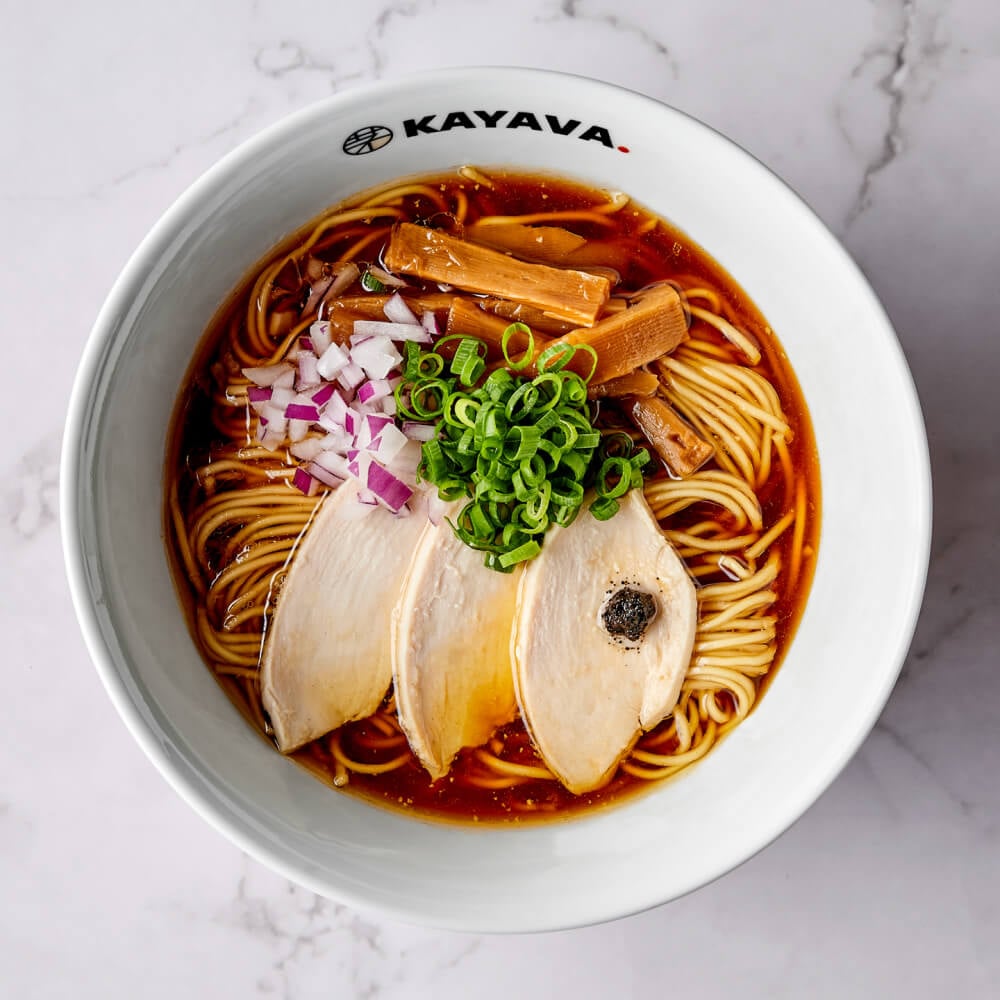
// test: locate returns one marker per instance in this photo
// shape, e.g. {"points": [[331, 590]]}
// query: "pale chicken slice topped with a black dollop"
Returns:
{"points": [[586, 692]]}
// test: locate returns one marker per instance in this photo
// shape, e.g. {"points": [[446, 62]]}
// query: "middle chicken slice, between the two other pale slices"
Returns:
{"points": [[451, 648]]}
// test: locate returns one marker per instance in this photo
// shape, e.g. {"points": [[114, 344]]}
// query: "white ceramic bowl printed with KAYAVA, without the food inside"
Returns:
{"points": [[872, 556]]}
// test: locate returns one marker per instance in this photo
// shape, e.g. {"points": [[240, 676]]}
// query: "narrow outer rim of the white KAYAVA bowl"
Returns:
{"points": [[191, 785]]}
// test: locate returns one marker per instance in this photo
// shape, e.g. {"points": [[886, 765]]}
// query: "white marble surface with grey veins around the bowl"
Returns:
{"points": [[882, 114]]}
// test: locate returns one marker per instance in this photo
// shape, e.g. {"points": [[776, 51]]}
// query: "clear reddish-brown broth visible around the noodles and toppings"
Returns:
{"points": [[661, 253]]}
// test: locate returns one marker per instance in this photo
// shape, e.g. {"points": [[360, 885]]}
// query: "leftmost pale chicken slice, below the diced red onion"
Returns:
{"points": [[326, 658]]}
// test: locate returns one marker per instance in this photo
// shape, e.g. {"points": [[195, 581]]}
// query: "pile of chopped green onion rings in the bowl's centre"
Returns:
{"points": [[522, 450]]}
